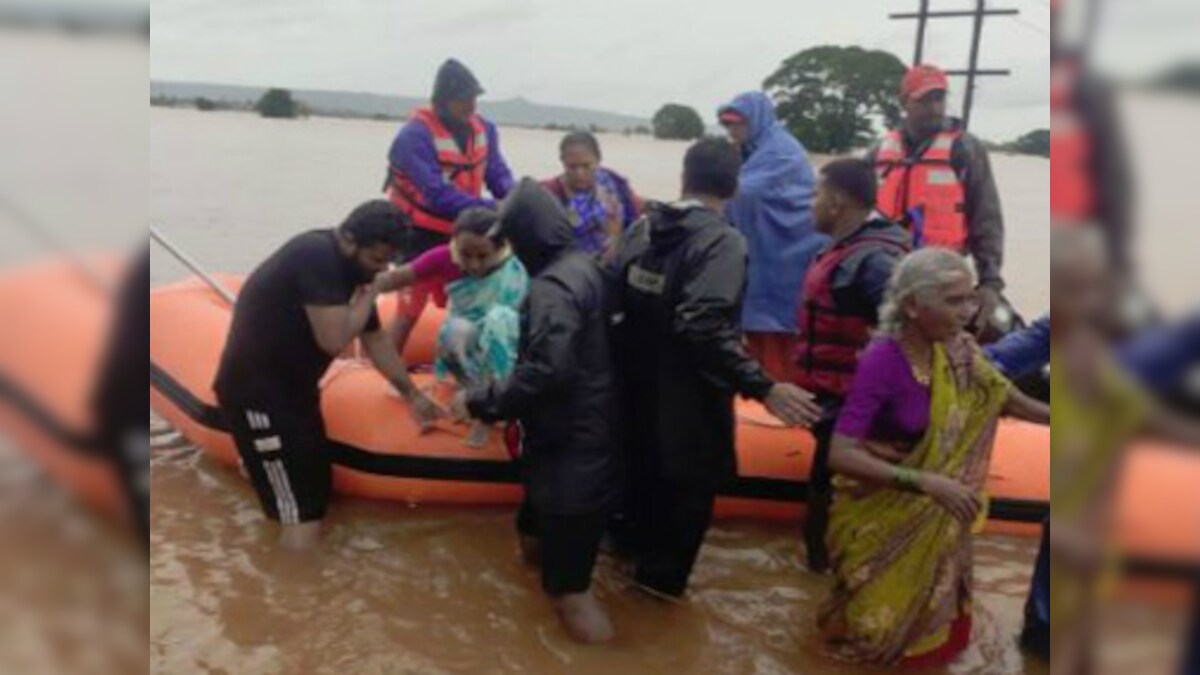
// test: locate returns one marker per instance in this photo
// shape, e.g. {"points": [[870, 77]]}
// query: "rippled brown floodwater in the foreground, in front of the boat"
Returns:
{"points": [[439, 590]]}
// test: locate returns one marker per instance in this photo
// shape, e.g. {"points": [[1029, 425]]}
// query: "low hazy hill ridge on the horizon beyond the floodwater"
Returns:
{"points": [[513, 112]]}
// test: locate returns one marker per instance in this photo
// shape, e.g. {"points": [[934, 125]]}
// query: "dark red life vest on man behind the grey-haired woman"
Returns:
{"points": [[831, 338]]}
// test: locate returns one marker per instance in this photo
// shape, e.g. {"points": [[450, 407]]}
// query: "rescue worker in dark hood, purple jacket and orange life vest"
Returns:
{"points": [[439, 166]]}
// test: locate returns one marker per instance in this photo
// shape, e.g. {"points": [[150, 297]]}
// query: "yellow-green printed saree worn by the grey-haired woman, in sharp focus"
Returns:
{"points": [[903, 564]]}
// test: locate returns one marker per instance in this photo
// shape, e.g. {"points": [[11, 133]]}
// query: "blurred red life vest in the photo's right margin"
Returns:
{"points": [[1072, 194]]}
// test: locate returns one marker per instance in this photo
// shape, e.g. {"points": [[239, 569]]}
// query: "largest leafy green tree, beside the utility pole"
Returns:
{"points": [[832, 98]]}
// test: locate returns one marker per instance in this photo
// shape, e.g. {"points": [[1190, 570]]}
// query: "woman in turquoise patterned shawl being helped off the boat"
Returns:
{"points": [[485, 285]]}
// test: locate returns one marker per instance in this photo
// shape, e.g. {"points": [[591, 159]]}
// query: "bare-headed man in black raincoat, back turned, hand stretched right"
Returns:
{"points": [[683, 272]]}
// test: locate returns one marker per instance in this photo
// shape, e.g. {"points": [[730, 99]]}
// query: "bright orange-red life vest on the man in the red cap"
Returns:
{"points": [[928, 184]]}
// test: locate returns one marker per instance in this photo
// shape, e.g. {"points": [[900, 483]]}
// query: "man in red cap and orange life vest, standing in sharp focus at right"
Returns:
{"points": [[937, 181]]}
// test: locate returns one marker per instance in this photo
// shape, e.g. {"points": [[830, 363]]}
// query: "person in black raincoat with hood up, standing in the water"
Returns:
{"points": [[563, 393]]}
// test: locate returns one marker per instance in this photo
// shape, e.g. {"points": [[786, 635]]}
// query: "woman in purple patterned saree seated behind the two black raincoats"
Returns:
{"points": [[598, 200]]}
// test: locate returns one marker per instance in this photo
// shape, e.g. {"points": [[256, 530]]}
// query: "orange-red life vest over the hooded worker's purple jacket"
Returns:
{"points": [[463, 169]]}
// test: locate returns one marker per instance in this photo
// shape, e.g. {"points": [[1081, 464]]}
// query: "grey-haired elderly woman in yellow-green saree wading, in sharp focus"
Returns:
{"points": [[913, 449]]}
